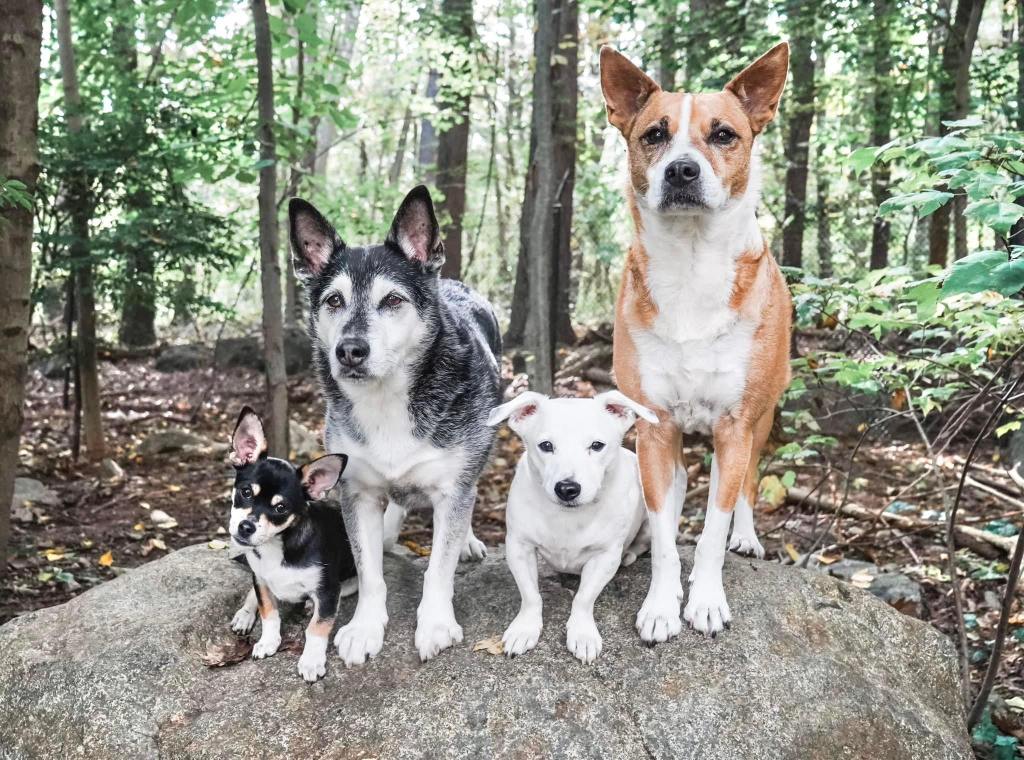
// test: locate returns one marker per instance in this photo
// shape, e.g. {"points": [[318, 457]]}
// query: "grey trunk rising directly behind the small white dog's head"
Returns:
{"points": [[541, 239]]}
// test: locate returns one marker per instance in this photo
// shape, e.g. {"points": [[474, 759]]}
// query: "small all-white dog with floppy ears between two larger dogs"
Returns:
{"points": [[576, 500]]}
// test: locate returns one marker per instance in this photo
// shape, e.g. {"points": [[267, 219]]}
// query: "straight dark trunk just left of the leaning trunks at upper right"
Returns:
{"points": [[882, 114]]}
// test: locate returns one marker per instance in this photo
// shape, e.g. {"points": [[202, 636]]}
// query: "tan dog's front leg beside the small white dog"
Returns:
{"points": [[664, 484]]}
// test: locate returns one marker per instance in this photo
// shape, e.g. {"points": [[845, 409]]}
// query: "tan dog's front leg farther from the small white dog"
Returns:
{"points": [[707, 610]]}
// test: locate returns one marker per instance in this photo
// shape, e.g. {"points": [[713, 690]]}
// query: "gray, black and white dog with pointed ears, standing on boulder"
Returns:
{"points": [[409, 365]]}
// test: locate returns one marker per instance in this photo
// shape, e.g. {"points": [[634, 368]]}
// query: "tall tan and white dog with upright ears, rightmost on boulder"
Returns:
{"points": [[704, 316]]}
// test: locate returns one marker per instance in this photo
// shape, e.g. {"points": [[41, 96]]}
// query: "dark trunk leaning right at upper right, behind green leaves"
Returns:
{"points": [[954, 94]]}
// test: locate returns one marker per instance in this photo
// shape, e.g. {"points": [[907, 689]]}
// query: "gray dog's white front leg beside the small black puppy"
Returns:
{"points": [[363, 638]]}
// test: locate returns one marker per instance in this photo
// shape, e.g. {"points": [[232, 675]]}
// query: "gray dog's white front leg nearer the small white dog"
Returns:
{"points": [[437, 628]]}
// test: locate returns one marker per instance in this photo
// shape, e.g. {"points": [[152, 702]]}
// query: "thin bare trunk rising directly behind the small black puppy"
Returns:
{"points": [[274, 342]]}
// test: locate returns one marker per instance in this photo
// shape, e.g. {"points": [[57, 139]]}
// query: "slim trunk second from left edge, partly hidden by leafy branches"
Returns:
{"points": [[80, 212]]}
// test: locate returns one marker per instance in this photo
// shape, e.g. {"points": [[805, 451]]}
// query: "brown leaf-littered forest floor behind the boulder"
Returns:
{"points": [[105, 526]]}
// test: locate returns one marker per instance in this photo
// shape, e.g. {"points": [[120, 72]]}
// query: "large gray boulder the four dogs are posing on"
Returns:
{"points": [[813, 668]]}
